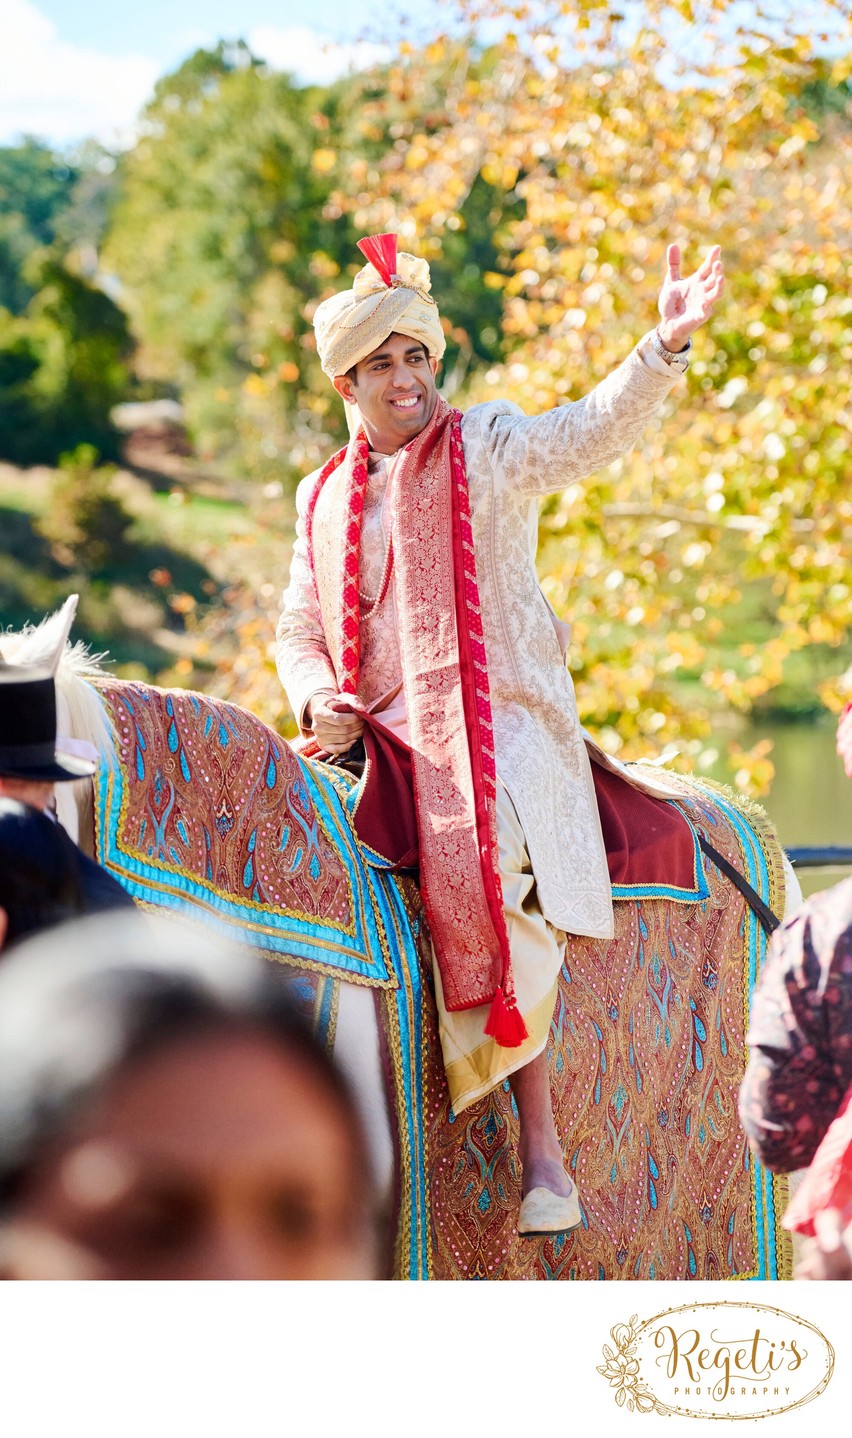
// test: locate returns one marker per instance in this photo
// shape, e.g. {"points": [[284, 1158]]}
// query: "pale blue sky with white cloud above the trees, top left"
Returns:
{"points": [[77, 68]]}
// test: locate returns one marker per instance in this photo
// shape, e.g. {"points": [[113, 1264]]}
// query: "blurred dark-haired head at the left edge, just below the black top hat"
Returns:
{"points": [[40, 882]]}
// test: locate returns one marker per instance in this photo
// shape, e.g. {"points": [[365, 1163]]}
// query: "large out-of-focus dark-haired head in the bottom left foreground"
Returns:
{"points": [[165, 1114]]}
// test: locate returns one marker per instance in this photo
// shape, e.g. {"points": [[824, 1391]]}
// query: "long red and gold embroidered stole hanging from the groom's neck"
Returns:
{"points": [[445, 681]]}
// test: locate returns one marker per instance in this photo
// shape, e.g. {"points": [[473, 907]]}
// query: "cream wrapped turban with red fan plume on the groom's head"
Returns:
{"points": [[353, 324]]}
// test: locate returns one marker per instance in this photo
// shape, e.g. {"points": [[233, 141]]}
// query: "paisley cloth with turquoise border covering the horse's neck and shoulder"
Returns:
{"points": [[202, 806]]}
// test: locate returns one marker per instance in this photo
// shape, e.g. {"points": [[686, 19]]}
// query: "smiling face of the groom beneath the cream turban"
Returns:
{"points": [[395, 392]]}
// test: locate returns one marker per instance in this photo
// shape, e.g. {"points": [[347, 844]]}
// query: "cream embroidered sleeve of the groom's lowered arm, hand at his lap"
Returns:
{"points": [[302, 655]]}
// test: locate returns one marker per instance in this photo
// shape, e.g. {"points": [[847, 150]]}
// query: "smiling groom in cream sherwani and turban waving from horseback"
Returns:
{"points": [[414, 597]]}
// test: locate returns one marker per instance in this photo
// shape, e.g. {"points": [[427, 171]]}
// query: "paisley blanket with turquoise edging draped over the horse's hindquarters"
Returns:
{"points": [[647, 1055]]}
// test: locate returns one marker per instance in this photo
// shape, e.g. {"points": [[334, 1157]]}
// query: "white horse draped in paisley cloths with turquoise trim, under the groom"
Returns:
{"points": [[202, 810]]}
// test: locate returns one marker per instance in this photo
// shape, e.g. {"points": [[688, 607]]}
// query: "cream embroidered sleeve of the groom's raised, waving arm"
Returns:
{"points": [[548, 452]]}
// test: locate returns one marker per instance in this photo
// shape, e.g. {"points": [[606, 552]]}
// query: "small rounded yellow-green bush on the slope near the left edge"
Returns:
{"points": [[86, 523]]}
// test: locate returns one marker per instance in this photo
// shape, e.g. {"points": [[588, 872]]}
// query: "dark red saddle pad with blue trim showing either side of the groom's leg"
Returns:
{"points": [[648, 841]]}
